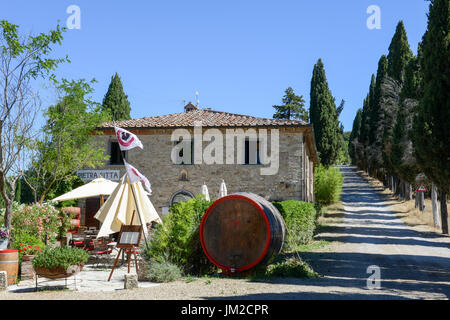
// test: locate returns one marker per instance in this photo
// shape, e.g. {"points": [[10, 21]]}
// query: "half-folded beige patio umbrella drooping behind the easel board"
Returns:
{"points": [[121, 204]]}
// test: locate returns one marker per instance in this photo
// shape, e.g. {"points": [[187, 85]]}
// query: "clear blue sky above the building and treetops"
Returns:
{"points": [[239, 55]]}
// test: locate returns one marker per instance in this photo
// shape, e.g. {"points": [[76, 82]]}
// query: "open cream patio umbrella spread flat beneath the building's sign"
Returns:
{"points": [[98, 187]]}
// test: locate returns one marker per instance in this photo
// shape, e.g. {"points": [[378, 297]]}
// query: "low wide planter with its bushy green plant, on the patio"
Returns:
{"points": [[56, 263]]}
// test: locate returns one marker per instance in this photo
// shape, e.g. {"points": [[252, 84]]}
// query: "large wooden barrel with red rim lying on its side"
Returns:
{"points": [[240, 231]]}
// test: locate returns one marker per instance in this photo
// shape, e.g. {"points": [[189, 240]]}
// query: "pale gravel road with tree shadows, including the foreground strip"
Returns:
{"points": [[412, 264]]}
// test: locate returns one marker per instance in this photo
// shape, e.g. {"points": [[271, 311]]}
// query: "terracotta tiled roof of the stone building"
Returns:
{"points": [[208, 117]]}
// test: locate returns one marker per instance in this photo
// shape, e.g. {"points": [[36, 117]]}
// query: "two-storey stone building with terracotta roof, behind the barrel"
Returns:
{"points": [[273, 158]]}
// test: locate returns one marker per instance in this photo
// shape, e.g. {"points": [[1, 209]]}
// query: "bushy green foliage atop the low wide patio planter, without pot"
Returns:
{"points": [[60, 257]]}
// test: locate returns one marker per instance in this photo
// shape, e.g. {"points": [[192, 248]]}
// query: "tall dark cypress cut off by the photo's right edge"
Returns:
{"points": [[431, 130]]}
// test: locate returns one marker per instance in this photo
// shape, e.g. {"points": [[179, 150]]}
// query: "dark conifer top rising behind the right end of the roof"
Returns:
{"points": [[293, 107]]}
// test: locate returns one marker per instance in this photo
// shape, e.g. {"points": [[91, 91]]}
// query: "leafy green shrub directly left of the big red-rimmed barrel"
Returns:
{"points": [[177, 239]]}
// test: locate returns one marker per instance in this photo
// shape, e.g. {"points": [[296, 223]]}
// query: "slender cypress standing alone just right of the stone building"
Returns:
{"points": [[323, 115]]}
